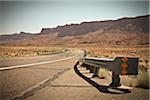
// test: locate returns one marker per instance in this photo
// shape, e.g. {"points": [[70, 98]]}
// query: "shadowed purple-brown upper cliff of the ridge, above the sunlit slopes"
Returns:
{"points": [[124, 25]]}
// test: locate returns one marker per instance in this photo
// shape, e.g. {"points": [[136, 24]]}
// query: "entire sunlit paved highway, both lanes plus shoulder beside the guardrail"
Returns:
{"points": [[58, 77]]}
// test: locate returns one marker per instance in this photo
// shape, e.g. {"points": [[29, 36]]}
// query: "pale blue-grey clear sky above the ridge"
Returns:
{"points": [[32, 16]]}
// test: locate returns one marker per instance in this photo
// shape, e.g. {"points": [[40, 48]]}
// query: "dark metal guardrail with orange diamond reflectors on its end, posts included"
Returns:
{"points": [[118, 66]]}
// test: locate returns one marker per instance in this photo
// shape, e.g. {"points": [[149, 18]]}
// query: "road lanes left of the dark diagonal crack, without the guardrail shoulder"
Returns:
{"points": [[18, 81]]}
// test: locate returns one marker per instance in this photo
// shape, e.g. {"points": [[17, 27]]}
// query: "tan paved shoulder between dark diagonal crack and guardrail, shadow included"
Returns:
{"points": [[69, 86]]}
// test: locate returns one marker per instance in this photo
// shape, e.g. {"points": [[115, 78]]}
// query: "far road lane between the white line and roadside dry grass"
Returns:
{"points": [[5, 62]]}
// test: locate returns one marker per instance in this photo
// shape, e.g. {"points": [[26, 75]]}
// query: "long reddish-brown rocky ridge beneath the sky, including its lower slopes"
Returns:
{"points": [[124, 31]]}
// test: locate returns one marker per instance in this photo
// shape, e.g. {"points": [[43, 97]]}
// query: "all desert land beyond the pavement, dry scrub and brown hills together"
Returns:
{"points": [[125, 37]]}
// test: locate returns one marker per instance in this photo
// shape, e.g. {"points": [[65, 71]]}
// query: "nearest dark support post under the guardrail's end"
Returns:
{"points": [[115, 80]]}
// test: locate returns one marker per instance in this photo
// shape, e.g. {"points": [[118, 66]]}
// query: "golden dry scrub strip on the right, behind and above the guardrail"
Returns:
{"points": [[142, 52]]}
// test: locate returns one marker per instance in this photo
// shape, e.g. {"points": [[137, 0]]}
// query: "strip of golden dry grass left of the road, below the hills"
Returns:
{"points": [[17, 51]]}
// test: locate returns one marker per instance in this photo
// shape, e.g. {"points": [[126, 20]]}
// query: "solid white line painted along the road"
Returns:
{"points": [[39, 63]]}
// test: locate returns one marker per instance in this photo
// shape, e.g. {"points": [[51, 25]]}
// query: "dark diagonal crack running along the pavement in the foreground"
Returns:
{"points": [[32, 90]]}
